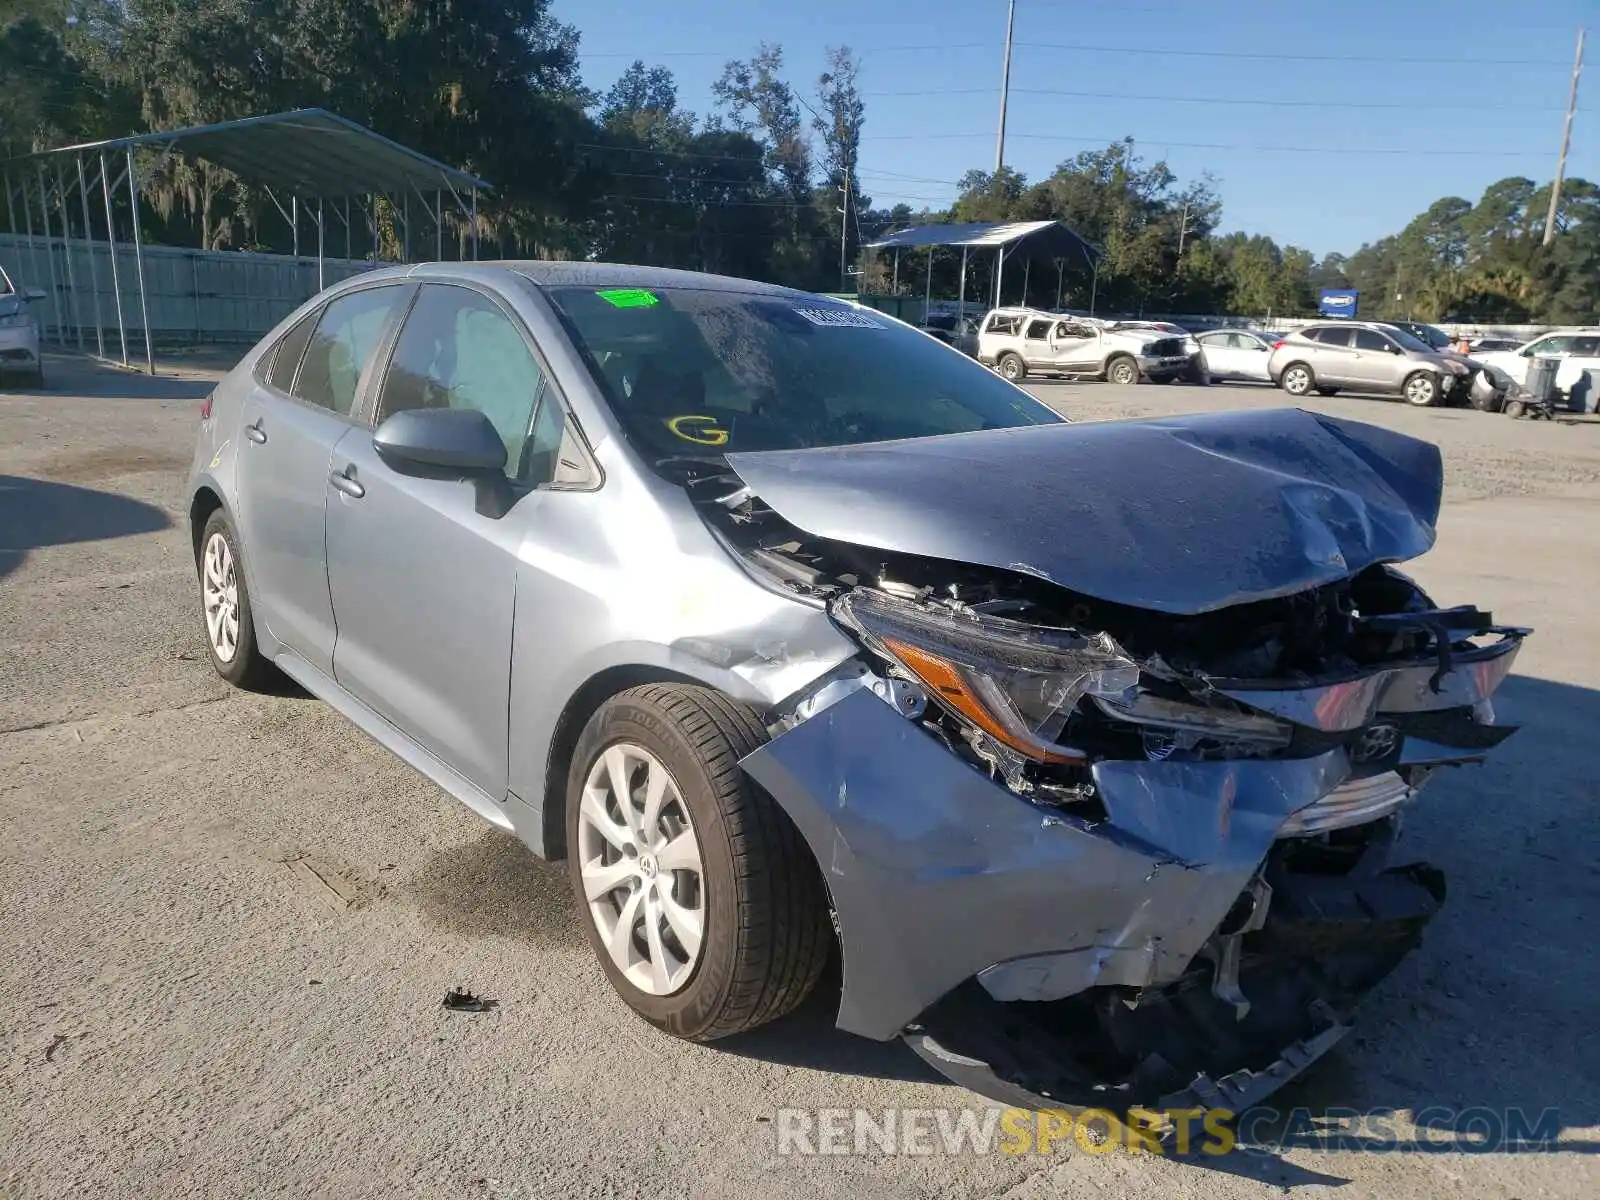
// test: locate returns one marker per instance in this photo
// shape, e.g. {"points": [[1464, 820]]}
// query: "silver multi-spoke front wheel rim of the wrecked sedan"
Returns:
{"points": [[641, 866]]}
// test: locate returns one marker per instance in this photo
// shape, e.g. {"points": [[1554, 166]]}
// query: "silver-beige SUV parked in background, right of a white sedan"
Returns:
{"points": [[1364, 358]]}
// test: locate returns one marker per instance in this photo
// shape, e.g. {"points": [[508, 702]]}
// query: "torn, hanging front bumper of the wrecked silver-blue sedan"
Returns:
{"points": [[966, 908]]}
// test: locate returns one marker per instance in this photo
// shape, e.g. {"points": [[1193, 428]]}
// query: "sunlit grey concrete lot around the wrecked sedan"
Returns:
{"points": [[228, 921]]}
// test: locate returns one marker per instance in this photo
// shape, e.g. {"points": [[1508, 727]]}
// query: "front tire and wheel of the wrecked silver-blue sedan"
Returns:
{"points": [[700, 897]]}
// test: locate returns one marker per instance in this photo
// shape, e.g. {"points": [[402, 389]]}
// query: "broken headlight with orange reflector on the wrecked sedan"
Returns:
{"points": [[1012, 681]]}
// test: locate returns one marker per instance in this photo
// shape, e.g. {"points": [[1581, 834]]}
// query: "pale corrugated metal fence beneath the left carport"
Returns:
{"points": [[193, 295]]}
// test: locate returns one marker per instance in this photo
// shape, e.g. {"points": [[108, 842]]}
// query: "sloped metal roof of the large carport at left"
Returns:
{"points": [[305, 153]]}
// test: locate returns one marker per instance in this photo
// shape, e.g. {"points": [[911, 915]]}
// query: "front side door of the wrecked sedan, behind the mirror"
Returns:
{"points": [[423, 583]]}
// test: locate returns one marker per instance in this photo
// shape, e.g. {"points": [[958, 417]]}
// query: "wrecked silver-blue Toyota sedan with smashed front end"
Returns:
{"points": [[793, 630]]}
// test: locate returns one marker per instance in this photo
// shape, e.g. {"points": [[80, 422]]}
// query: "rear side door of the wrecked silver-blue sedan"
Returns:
{"points": [[292, 420]]}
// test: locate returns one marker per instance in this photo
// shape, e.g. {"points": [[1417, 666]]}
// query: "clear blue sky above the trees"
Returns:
{"points": [[1385, 110]]}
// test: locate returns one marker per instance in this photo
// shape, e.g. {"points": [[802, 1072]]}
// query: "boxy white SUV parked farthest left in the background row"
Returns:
{"points": [[1028, 342]]}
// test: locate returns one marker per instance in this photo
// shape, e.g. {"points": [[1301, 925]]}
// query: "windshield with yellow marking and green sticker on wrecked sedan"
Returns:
{"points": [[706, 372]]}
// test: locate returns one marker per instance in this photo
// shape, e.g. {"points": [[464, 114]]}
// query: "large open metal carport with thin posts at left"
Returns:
{"points": [[310, 154]]}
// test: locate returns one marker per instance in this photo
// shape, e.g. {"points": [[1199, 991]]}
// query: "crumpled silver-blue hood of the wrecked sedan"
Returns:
{"points": [[1182, 514]]}
